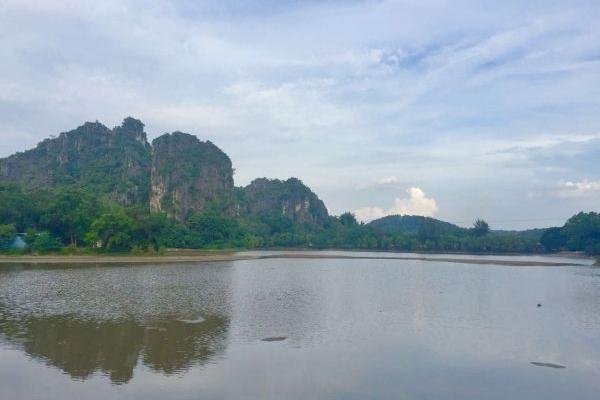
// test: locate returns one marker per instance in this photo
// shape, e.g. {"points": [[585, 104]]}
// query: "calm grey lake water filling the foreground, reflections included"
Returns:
{"points": [[353, 329]]}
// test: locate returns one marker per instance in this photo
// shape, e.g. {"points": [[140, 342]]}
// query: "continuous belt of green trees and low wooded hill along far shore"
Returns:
{"points": [[70, 219]]}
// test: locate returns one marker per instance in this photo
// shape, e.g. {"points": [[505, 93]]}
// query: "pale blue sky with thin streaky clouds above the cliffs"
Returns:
{"points": [[453, 109]]}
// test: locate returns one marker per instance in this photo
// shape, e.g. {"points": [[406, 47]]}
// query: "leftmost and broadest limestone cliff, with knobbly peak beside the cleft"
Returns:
{"points": [[115, 162]]}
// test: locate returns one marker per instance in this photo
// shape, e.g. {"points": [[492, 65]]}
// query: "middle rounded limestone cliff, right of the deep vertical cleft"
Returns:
{"points": [[187, 175]]}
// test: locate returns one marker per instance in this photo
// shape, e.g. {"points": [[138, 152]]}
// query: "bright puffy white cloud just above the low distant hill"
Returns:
{"points": [[416, 204]]}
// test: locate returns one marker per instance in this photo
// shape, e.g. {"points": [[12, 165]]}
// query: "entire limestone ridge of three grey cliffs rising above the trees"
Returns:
{"points": [[178, 174]]}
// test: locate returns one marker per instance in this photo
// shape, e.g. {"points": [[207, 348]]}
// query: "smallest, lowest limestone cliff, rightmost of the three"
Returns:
{"points": [[290, 198]]}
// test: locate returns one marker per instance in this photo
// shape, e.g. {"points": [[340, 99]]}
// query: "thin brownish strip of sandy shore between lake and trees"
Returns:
{"points": [[190, 256]]}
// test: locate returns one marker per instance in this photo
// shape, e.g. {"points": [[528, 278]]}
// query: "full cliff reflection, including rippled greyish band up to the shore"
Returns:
{"points": [[110, 319]]}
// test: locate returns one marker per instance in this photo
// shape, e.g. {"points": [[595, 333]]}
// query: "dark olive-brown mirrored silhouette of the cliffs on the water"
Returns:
{"points": [[81, 347]]}
